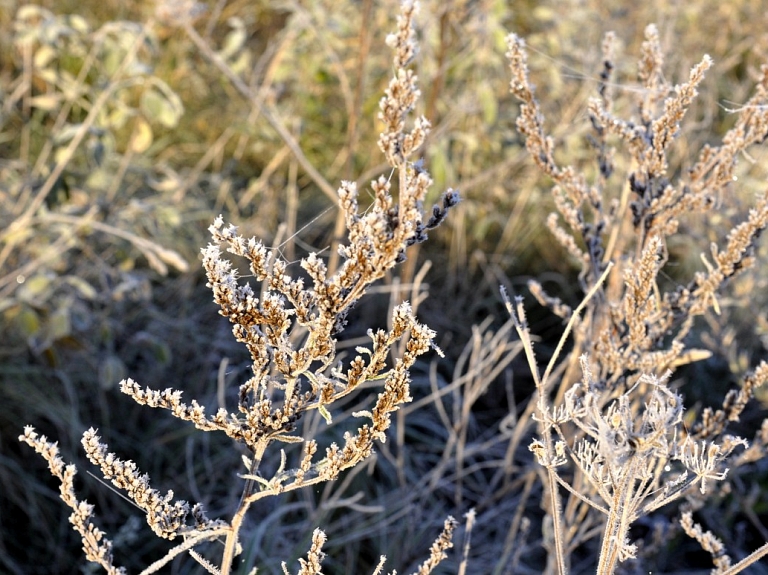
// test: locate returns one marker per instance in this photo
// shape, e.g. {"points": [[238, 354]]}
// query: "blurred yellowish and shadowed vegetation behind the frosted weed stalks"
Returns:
{"points": [[121, 138]]}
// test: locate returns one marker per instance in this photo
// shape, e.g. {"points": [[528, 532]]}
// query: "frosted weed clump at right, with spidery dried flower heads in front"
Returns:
{"points": [[620, 424]]}
